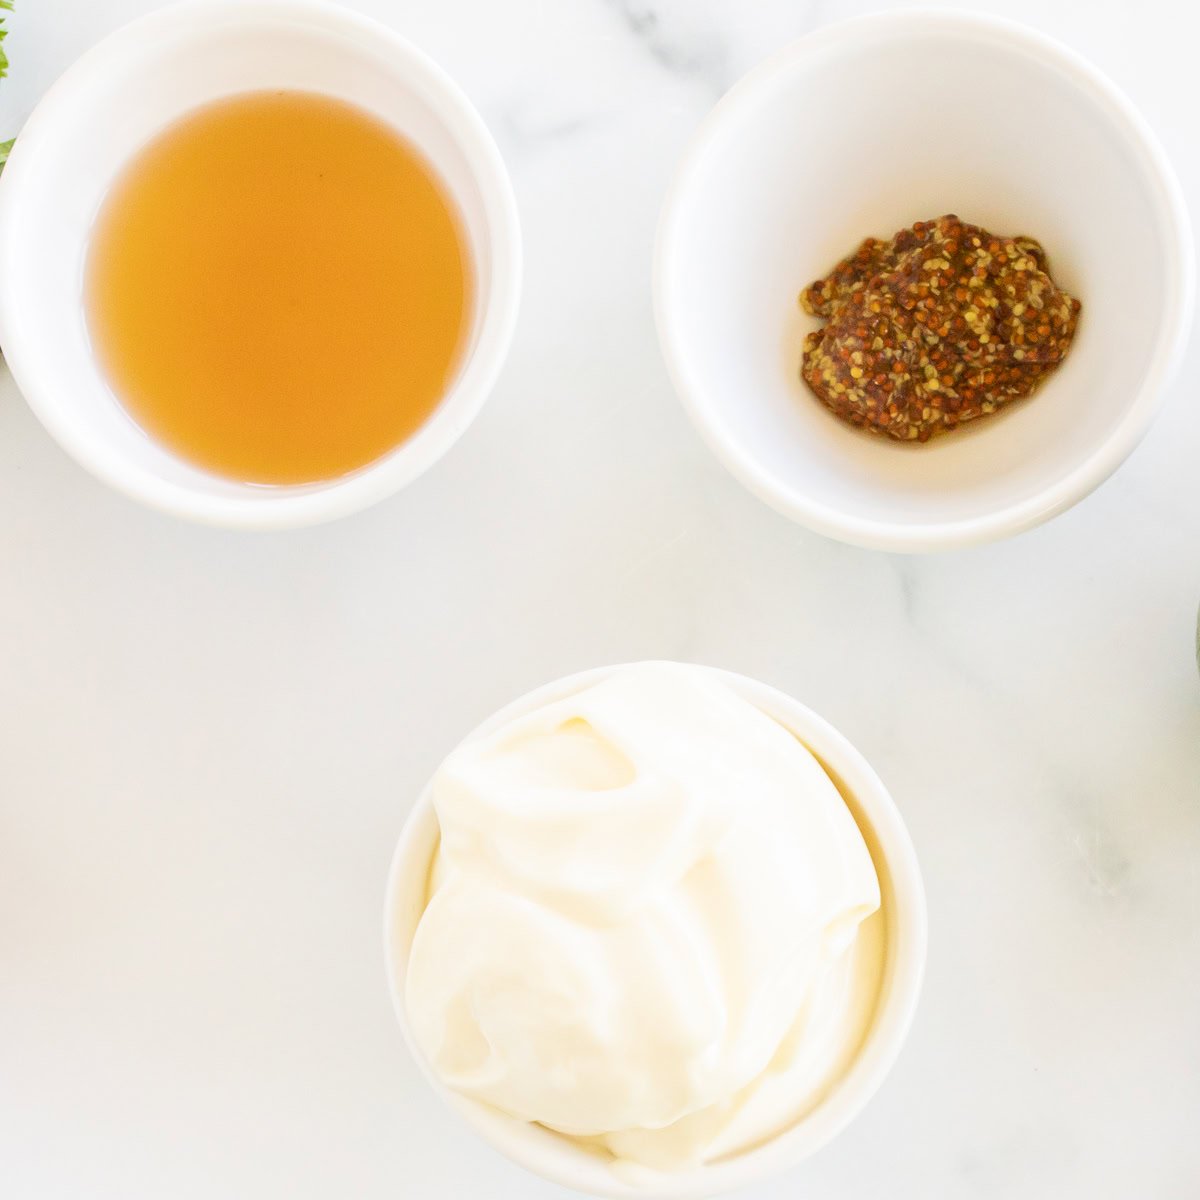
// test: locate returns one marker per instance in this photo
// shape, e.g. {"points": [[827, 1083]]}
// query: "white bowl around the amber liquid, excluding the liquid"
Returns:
{"points": [[122, 94]]}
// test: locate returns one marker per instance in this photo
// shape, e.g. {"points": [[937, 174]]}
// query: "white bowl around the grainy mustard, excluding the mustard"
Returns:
{"points": [[861, 130]]}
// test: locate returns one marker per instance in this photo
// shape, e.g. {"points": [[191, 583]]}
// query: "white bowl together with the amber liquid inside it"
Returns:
{"points": [[262, 262]]}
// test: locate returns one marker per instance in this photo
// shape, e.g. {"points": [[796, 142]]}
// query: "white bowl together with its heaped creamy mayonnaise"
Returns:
{"points": [[656, 931]]}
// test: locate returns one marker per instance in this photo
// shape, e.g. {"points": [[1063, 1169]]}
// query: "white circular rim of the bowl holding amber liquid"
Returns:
{"points": [[65, 105]]}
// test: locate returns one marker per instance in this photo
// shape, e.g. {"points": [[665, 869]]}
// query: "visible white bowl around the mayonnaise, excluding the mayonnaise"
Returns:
{"points": [[561, 1161]]}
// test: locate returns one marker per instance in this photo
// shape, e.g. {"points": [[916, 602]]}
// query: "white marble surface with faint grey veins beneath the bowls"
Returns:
{"points": [[209, 741]]}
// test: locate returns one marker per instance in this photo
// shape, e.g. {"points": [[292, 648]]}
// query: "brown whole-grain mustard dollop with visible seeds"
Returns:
{"points": [[940, 326]]}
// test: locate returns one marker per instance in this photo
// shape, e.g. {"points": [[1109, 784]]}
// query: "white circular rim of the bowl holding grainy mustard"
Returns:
{"points": [[1179, 289]]}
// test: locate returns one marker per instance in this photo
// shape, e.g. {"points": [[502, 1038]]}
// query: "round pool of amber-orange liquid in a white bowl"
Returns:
{"points": [[278, 289]]}
